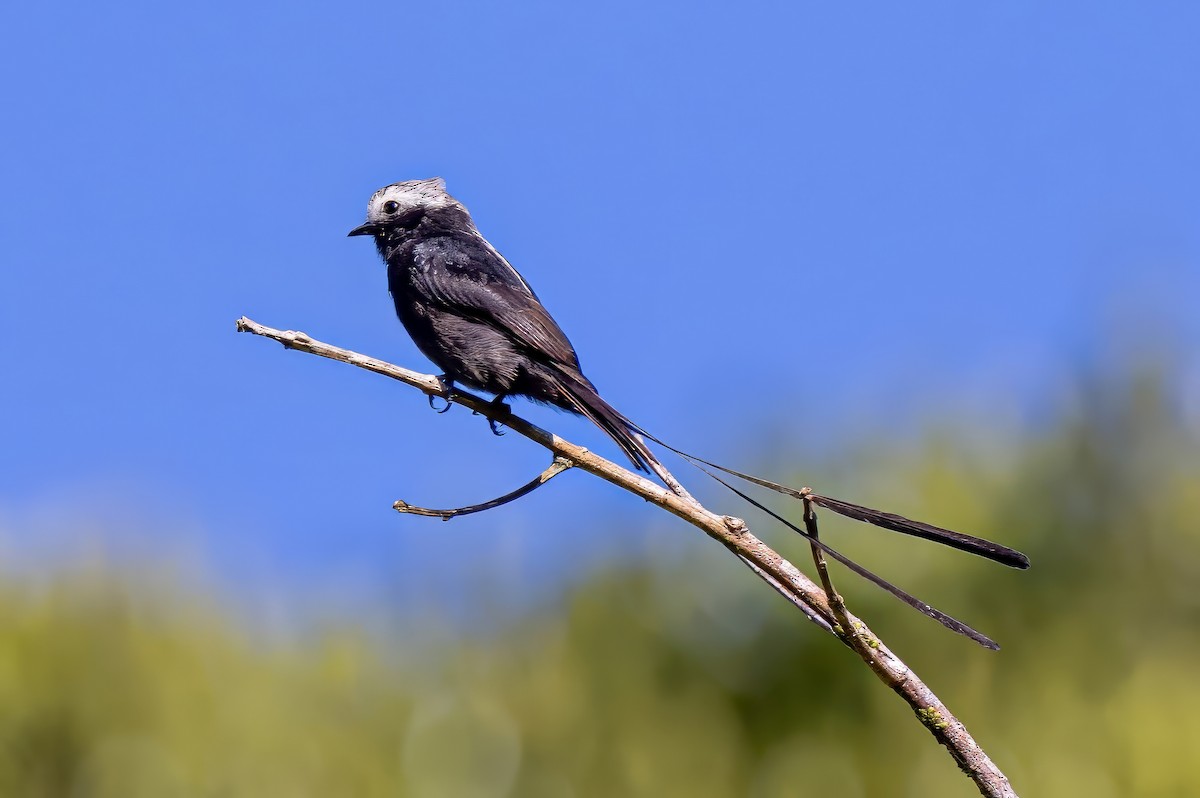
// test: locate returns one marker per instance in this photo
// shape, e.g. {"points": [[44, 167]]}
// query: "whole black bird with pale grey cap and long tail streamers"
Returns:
{"points": [[478, 320]]}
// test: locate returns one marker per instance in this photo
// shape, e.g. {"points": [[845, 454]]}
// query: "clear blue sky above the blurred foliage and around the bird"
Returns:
{"points": [[739, 215]]}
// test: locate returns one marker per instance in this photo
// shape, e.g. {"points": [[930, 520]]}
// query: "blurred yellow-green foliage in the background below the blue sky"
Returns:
{"points": [[688, 679]]}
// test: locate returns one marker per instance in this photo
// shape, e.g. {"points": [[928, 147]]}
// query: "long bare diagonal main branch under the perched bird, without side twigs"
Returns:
{"points": [[730, 532]]}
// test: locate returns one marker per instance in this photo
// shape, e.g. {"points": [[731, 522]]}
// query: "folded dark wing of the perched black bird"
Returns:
{"points": [[479, 284]]}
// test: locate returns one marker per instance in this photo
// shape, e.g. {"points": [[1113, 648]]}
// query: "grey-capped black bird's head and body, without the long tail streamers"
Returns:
{"points": [[470, 311]]}
